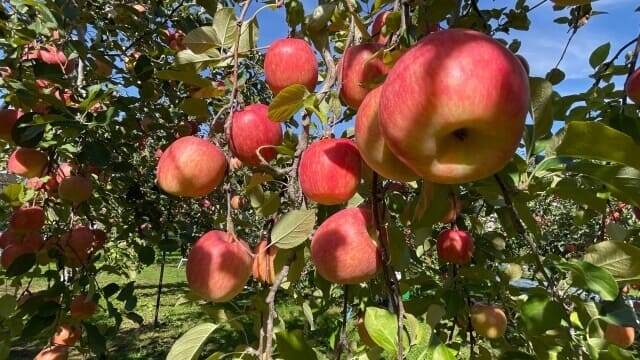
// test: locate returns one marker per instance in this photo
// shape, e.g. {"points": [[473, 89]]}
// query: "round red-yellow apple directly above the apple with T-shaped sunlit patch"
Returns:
{"points": [[191, 167]]}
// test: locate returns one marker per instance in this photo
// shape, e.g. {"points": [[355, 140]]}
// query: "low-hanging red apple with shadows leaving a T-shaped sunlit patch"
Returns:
{"points": [[219, 266]]}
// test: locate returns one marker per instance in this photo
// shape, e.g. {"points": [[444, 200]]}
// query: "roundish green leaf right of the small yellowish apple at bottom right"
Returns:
{"points": [[540, 314]]}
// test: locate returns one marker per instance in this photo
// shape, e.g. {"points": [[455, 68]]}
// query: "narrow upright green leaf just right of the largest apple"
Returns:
{"points": [[541, 106]]}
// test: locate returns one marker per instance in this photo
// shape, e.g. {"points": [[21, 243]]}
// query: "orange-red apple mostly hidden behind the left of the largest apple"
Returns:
{"points": [[372, 146]]}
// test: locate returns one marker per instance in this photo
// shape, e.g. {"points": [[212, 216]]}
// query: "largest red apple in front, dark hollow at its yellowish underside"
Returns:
{"points": [[447, 120]]}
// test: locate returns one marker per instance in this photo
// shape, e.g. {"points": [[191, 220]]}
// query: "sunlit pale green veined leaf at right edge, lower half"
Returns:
{"points": [[618, 258]]}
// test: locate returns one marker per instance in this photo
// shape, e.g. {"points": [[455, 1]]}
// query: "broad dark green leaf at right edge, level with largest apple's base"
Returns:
{"points": [[597, 141]]}
